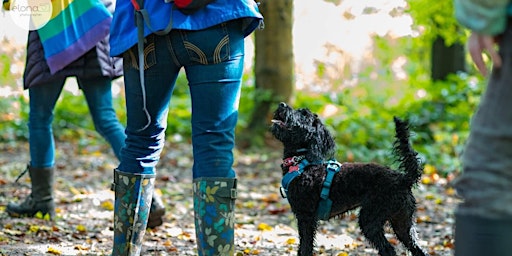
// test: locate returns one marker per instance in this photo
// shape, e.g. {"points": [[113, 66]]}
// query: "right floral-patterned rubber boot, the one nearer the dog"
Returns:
{"points": [[214, 205]]}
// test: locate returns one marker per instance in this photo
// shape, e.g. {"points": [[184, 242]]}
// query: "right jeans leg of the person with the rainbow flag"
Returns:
{"points": [[98, 94]]}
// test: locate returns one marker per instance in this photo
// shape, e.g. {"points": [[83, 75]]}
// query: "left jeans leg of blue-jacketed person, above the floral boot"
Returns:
{"points": [[147, 108]]}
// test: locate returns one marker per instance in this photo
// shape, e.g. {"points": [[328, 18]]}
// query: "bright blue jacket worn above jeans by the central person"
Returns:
{"points": [[123, 31]]}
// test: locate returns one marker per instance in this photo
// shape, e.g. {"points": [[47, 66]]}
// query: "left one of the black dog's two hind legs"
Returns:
{"points": [[372, 226]]}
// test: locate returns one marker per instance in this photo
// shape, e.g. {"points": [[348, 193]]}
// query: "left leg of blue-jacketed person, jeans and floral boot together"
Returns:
{"points": [[146, 110]]}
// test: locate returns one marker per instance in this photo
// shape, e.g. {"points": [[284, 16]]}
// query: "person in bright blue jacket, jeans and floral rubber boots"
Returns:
{"points": [[209, 45]]}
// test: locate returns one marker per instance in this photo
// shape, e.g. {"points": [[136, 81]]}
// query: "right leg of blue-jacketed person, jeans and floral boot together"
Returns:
{"points": [[215, 84]]}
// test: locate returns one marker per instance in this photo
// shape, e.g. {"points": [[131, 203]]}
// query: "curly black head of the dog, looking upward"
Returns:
{"points": [[301, 130]]}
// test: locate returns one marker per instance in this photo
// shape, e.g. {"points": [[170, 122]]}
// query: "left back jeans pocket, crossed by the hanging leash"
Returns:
{"points": [[131, 56]]}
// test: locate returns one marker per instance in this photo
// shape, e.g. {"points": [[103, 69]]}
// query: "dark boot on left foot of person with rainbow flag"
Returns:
{"points": [[40, 198]]}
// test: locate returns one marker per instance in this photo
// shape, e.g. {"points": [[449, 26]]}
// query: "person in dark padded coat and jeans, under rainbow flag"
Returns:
{"points": [[94, 71]]}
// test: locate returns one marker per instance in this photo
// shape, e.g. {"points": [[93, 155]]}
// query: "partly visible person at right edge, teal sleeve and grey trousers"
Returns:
{"points": [[484, 218]]}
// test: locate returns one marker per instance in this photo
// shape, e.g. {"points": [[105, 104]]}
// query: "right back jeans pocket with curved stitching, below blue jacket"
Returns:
{"points": [[209, 46]]}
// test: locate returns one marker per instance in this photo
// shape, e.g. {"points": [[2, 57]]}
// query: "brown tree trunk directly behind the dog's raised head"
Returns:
{"points": [[274, 64]]}
